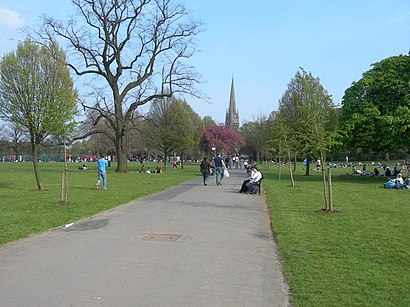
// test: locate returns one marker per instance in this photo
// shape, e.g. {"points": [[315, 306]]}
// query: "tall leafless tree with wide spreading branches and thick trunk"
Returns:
{"points": [[137, 48]]}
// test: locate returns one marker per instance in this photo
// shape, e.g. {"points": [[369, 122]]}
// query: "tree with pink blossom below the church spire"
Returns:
{"points": [[223, 138]]}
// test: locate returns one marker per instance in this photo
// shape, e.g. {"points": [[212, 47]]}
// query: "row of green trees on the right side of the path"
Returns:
{"points": [[374, 116]]}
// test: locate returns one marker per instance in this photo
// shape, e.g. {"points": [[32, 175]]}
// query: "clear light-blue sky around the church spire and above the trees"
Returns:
{"points": [[262, 43]]}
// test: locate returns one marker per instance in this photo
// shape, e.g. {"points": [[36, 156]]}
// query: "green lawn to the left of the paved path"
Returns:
{"points": [[25, 211]]}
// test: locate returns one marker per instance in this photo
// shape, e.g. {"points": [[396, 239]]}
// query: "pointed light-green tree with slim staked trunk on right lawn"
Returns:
{"points": [[308, 111]]}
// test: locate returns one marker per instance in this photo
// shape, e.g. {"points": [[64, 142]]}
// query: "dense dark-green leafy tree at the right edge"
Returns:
{"points": [[376, 109]]}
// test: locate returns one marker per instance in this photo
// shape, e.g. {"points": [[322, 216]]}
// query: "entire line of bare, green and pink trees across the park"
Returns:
{"points": [[130, 53]]}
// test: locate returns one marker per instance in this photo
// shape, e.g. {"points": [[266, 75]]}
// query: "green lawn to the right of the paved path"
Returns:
{"points": [[358, 257]]}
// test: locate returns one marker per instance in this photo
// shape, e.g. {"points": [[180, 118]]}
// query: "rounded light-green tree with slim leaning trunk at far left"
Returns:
{"points": [[37, 93]]}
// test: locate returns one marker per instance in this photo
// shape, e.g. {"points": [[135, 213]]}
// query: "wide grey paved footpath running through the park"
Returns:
{"points": [[191, 245]]}
